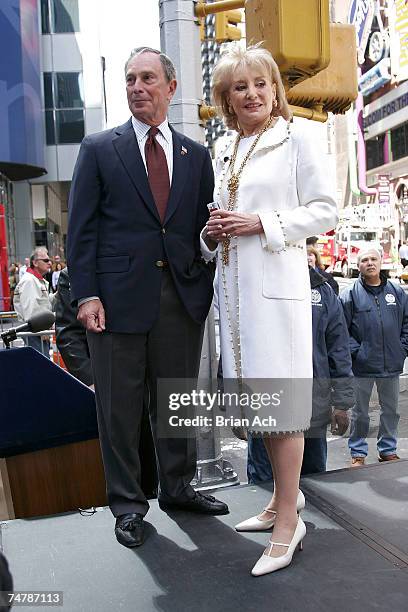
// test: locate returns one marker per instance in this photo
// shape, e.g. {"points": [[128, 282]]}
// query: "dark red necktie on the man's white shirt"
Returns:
{"points": [[157, 172]]}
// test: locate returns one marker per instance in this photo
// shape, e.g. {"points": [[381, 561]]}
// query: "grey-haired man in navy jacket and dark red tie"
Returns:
{"points": [[138, 202]]}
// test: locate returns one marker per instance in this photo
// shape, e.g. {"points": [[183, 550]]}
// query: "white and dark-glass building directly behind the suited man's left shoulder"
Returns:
{"points": [[73, 105]]}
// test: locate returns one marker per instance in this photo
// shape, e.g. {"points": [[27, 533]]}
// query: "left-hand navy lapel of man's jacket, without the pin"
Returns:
{"points": [[127, 148]]}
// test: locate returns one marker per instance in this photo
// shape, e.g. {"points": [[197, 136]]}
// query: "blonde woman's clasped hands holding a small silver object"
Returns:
{"points": [[223, 224]]}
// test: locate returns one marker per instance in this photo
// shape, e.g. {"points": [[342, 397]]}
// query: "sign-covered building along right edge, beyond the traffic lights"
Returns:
{"points": [[377, 170]]}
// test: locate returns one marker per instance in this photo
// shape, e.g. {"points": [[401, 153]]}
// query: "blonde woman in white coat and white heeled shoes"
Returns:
{"points": [[272, 190]]}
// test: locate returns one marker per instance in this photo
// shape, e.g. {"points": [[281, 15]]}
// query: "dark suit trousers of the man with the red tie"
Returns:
{"points": [[121, 364]]}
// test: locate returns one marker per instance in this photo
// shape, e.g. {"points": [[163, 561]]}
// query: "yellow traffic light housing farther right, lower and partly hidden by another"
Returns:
{"points": [[335, 87]]}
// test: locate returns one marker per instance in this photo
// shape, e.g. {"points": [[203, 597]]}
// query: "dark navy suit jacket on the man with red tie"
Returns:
{"points": [[115, 236]]}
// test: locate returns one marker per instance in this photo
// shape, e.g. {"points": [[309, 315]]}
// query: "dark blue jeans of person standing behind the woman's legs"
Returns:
{"points": [[259, 467]]}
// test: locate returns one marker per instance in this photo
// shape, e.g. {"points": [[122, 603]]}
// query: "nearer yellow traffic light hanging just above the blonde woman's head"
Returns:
{"points": [[296, 32]]}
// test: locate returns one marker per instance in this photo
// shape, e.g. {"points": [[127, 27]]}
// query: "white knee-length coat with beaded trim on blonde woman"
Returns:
{"points": [[288, 183]]}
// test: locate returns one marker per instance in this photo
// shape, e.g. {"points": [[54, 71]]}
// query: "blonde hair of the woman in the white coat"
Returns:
{"points": [[252, 57]]}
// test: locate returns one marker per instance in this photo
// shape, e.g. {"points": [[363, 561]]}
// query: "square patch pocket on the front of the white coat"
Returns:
{"points": [[285, 275]]}
